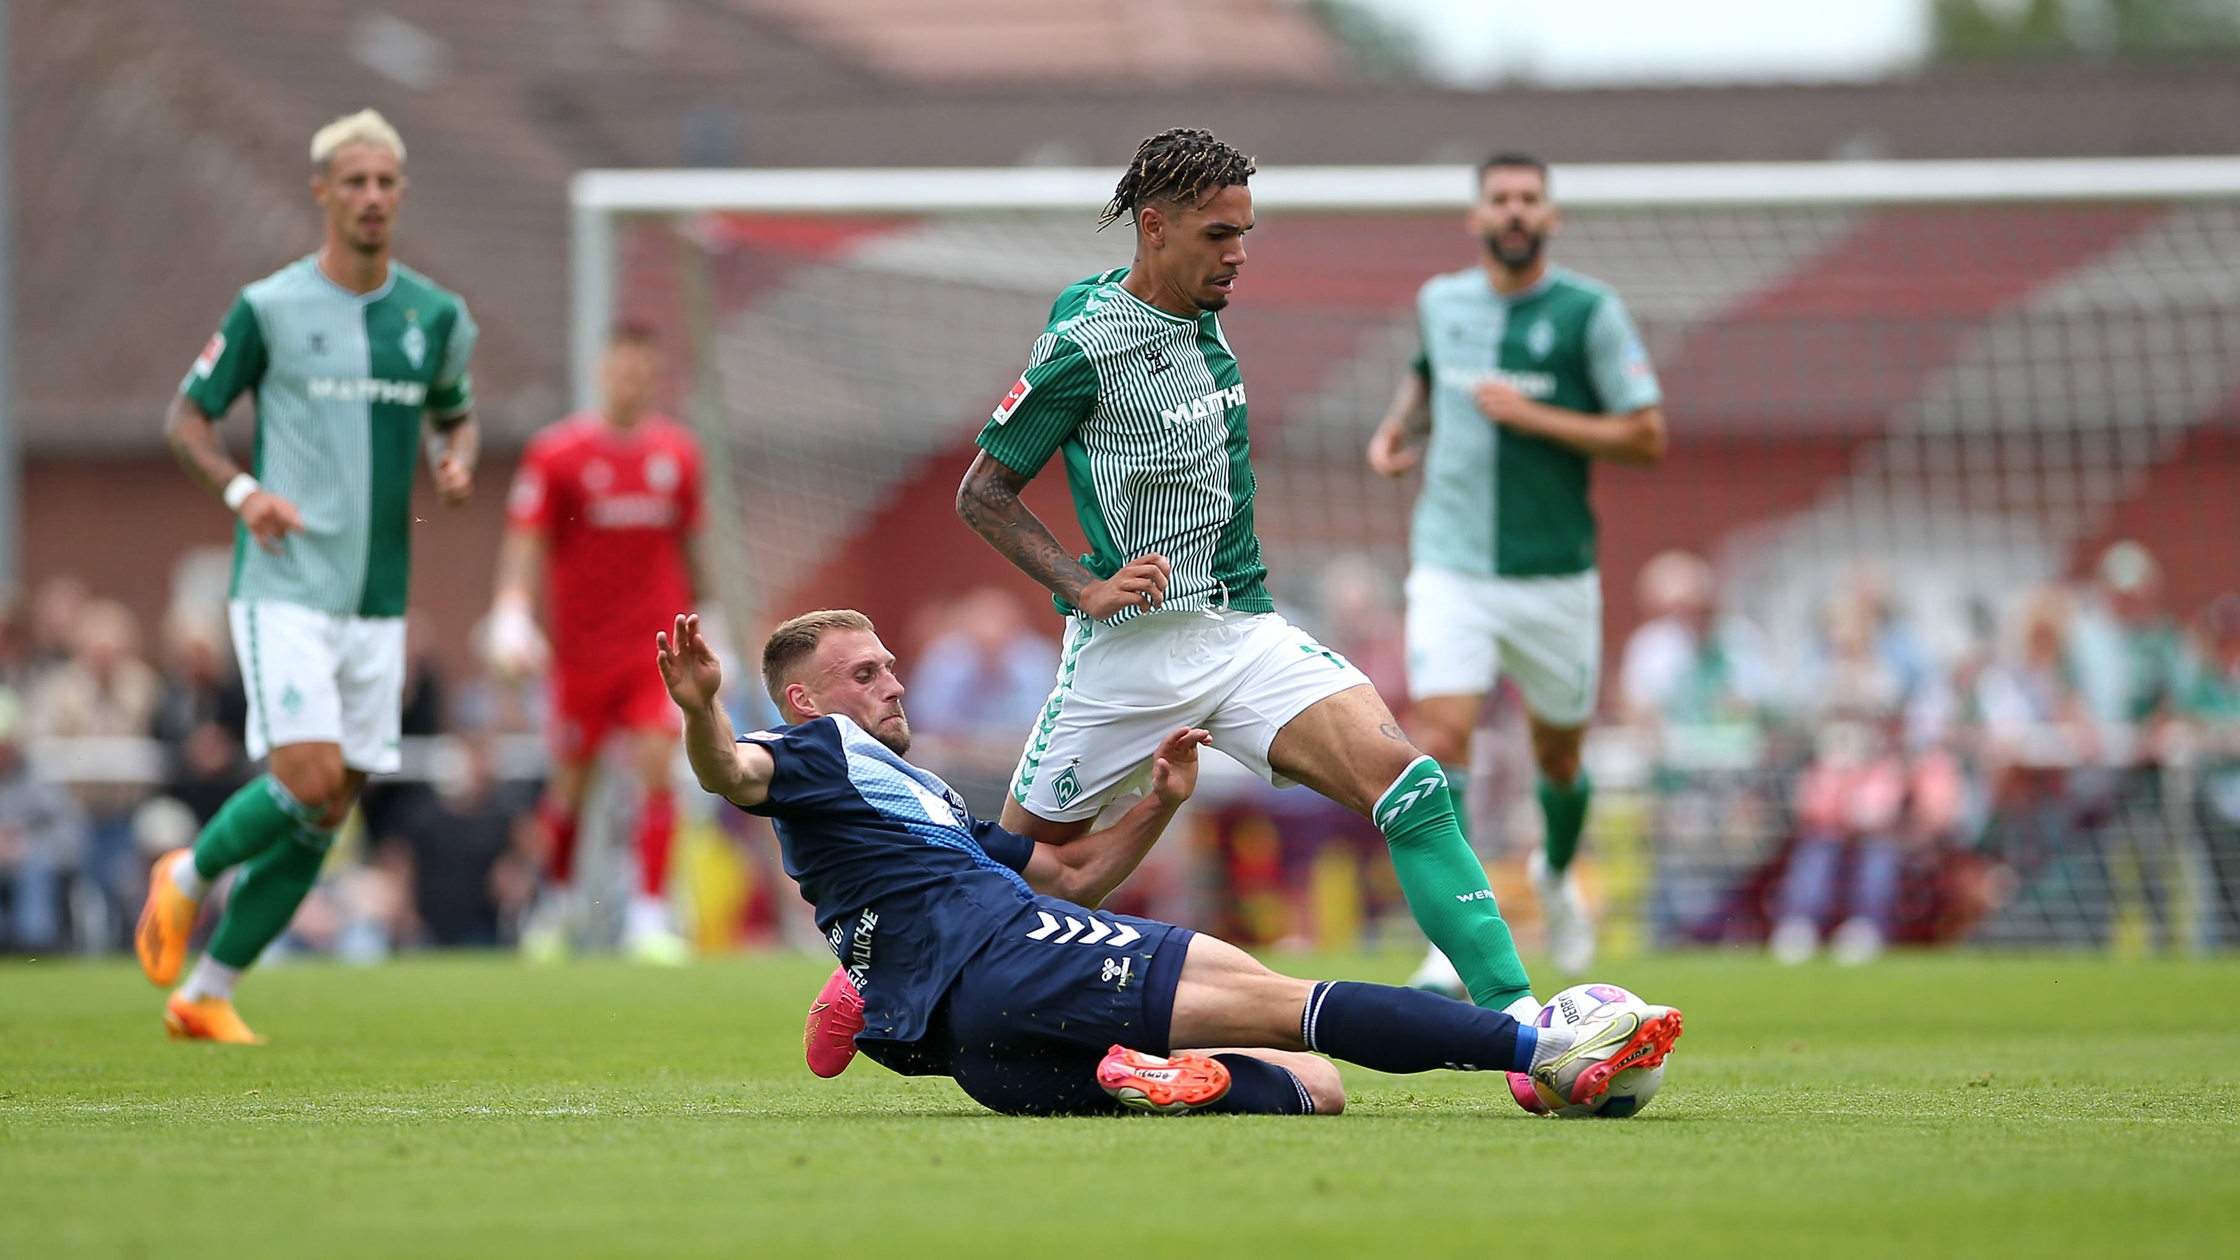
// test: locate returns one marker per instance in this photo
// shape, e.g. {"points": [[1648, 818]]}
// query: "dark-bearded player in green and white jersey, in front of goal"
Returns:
{"points": [[1529, 373]]}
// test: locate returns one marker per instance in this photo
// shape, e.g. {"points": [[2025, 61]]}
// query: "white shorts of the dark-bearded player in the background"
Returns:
{"points": [[1547, 633]]}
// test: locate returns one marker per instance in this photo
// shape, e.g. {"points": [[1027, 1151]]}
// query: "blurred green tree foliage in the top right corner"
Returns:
{"points": [[1984, 30]]}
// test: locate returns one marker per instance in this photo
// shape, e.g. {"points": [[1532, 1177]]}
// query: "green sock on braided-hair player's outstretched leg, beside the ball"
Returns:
{"points": [[1446, 887]]}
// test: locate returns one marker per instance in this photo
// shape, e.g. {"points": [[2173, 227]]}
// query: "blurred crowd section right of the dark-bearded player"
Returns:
{"points": [[2066, 775]]}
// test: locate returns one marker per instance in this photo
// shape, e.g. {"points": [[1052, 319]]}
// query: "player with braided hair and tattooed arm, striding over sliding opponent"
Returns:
{"points": [[1170, 624]]}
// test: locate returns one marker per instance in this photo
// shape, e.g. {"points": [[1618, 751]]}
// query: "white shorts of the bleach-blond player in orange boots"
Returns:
{"points": [[317, 678]]}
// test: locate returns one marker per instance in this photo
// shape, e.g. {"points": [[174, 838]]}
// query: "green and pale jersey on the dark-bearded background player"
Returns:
{"points": [[1497, 501]]}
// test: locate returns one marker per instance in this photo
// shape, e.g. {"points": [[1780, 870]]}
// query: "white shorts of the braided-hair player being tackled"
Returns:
{"points": [[1121, 689]]}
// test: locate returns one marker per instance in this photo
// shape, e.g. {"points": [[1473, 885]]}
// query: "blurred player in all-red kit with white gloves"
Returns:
{"points": [[606, 510]]}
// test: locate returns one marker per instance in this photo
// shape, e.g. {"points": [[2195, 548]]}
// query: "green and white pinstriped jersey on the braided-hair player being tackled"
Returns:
{"points": [[1150, 416]]}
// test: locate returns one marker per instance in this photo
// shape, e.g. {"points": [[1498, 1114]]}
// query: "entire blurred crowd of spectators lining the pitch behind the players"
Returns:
{"points": [[2069, 775]]}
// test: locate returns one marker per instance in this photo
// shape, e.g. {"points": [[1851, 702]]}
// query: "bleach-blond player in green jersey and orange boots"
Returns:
{"points": [[351, 358]]}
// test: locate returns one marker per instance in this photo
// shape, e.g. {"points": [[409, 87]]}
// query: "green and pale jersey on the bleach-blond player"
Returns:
{"points": [[342, 387]]}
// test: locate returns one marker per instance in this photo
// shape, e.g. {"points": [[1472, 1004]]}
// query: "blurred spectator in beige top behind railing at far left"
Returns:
{"points": [[104, 692]]}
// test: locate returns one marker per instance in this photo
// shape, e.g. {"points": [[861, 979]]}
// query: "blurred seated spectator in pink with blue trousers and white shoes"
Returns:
{"points": [[1860, 799]]}
